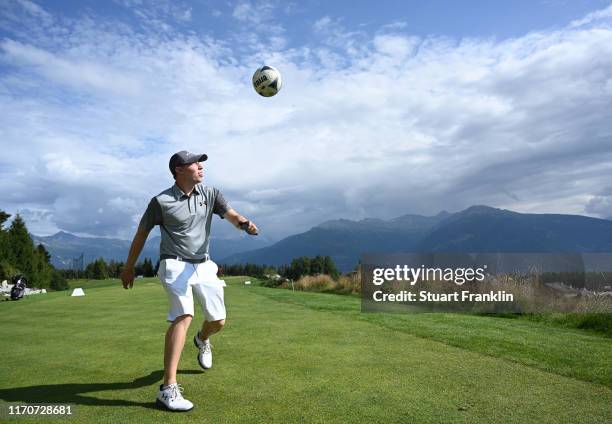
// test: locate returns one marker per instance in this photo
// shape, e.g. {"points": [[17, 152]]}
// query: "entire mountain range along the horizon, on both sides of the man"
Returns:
{"points": [[475, 229]]}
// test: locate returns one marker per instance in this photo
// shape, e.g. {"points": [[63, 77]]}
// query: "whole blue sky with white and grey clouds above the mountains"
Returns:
{"points": [[388, 108]]}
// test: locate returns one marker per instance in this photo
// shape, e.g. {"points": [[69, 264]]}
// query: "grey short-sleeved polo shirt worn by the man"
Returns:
{"points": [[184, 220]]}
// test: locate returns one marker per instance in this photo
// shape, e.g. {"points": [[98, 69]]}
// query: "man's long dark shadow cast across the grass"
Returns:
{"points": [[72, 393]]}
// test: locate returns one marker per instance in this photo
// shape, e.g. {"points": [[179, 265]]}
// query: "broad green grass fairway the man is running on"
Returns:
{"points": [[298, 357]]}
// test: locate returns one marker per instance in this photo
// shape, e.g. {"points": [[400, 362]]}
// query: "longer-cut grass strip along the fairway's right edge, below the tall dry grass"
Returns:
{"points": [[572, 353]]}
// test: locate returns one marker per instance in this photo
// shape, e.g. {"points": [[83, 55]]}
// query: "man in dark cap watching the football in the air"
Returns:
{"points": [[184, 214]]}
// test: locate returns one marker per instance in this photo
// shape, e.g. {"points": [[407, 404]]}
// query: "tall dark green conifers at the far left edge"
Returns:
{"points": [[19, 255]]}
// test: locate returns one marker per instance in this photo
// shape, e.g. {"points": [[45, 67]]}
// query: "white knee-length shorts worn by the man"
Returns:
{"points": [[183, 280]]}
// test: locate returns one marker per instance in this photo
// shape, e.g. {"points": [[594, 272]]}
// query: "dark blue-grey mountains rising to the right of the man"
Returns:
{"points": [[475, 229]]}
